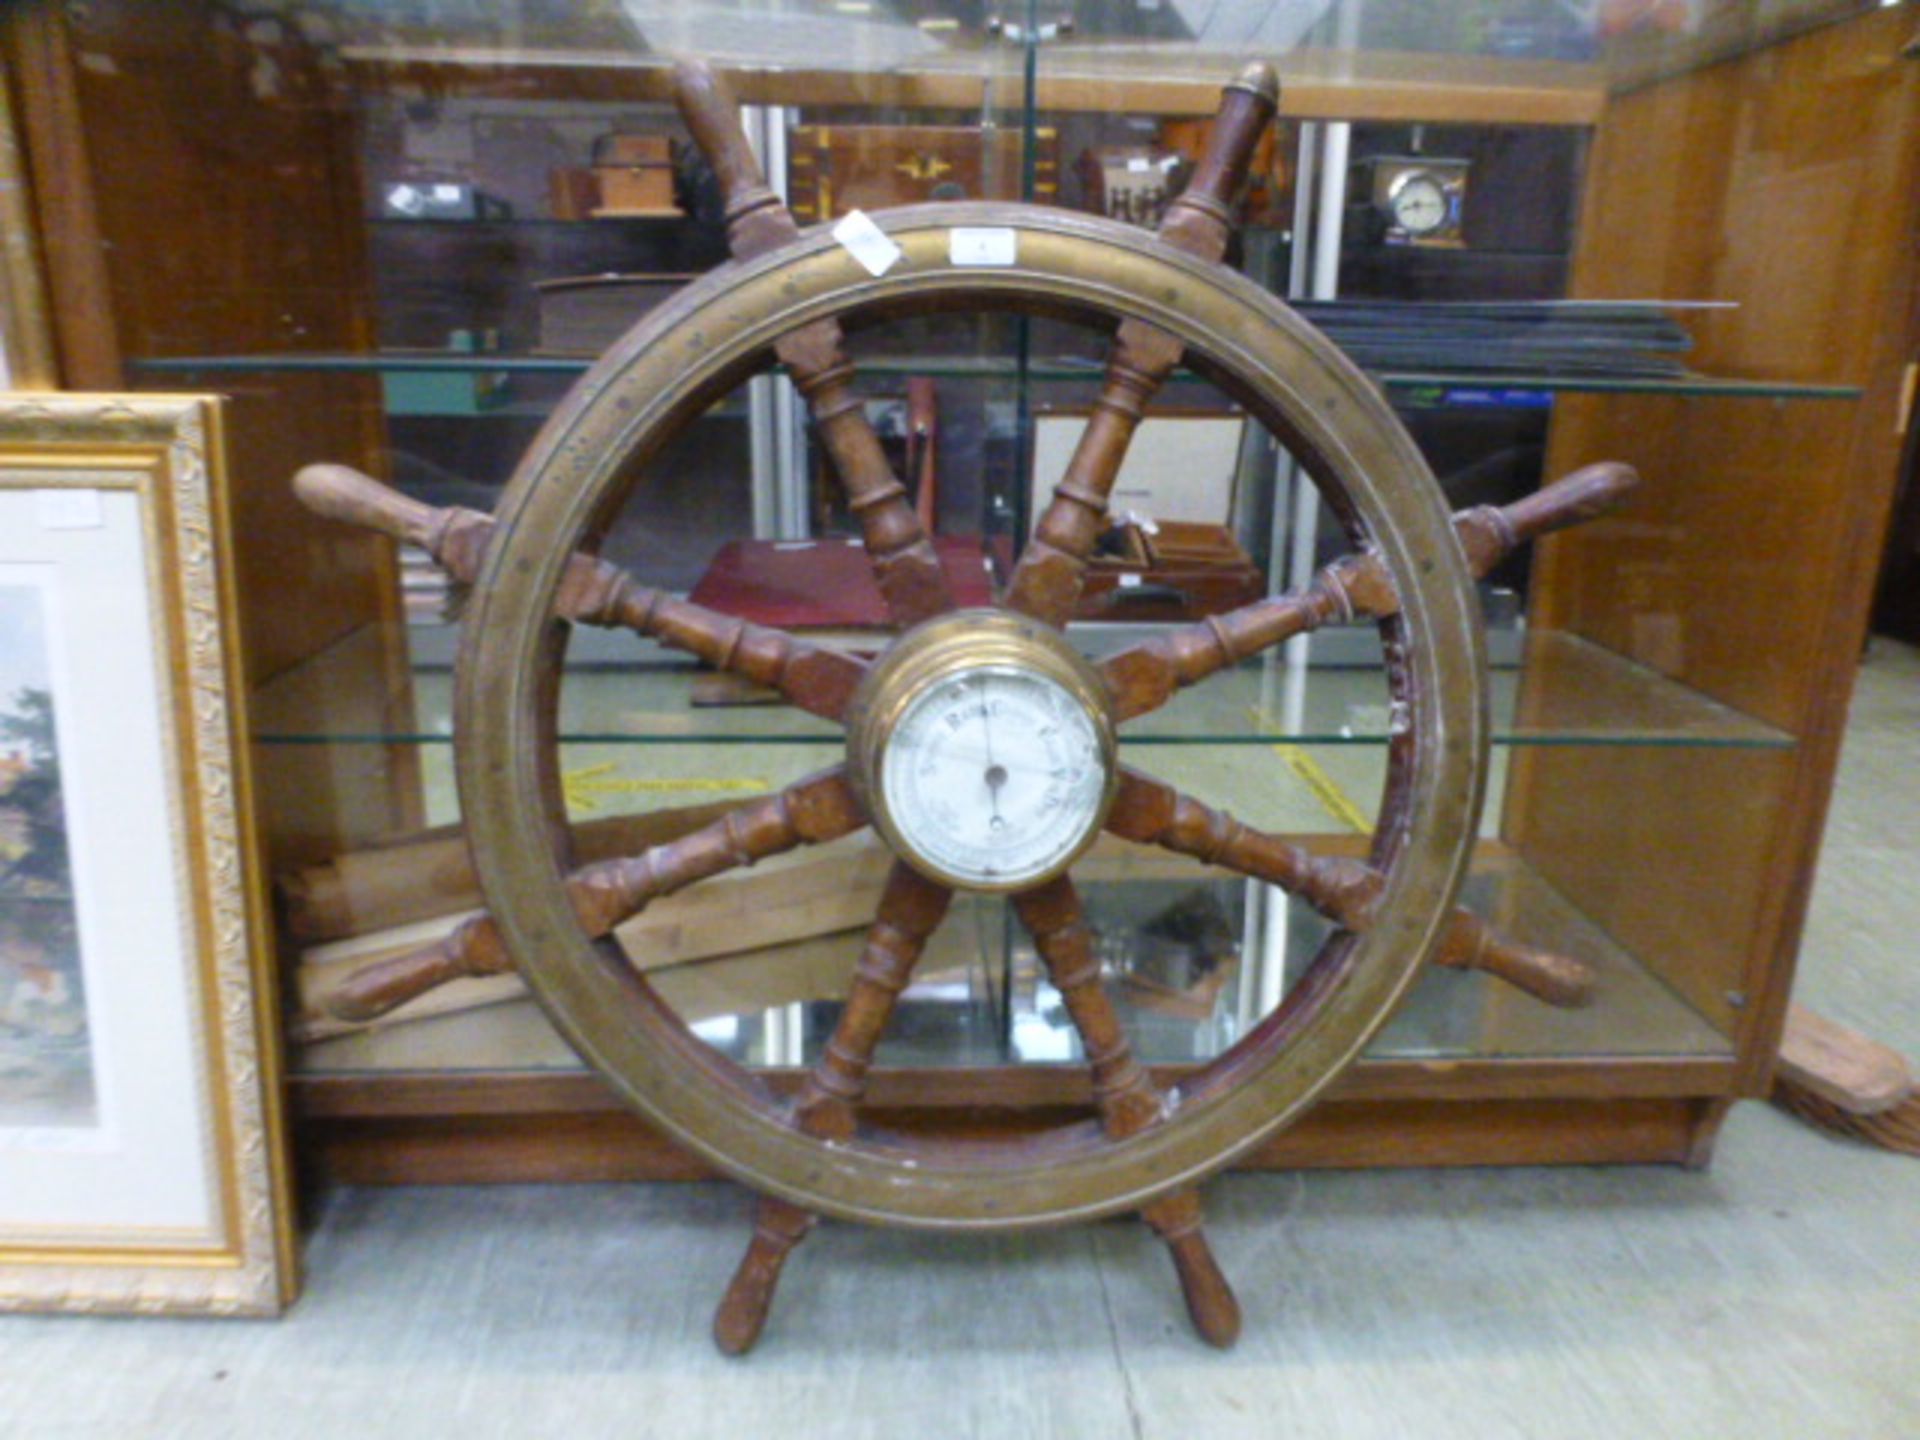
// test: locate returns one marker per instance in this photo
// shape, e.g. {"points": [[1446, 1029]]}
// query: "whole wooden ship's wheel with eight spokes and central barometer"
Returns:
{"points": [[980, 746]]}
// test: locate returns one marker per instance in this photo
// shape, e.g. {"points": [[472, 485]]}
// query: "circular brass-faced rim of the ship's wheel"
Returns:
{"points": [[706, 343]]}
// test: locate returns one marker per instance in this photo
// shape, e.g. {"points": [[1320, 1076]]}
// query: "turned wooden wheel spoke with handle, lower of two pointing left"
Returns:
{"points": [[612, 892]]}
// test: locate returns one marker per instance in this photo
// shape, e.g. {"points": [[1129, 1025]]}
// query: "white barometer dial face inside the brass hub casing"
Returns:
{"points": [[994, 777]]}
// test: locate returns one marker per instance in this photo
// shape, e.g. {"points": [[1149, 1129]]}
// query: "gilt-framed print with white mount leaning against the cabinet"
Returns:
{"points": [[141, 1143]]}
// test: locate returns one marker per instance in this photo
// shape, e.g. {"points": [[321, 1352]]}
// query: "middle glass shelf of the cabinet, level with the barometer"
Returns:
{"points": [[1602, 700]]}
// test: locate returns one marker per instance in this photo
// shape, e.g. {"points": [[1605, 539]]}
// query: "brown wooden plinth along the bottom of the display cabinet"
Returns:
{"points": [[610, 1145]]}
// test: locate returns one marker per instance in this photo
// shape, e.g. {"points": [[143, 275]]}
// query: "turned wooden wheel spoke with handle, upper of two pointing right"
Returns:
{"points": [[1145, 677]]}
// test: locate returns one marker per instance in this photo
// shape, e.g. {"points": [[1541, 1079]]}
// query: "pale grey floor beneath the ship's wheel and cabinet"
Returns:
{"points": [[1777, 1295]]}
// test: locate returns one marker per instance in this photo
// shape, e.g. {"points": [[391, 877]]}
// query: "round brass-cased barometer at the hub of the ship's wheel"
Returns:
{"points": [[988, 756]]}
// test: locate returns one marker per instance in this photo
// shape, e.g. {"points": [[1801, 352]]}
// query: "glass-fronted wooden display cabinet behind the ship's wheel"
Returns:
{"points": [[396, 235]]}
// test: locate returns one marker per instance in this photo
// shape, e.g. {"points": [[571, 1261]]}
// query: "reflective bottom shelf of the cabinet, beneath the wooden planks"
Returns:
{"points": [[980, 997]]}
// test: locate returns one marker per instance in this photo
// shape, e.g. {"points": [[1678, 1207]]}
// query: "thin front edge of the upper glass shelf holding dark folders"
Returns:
{"points": [[996, 368]]}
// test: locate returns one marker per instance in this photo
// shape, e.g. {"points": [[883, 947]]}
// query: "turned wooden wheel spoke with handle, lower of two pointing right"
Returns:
{"points": [[1341, 888]]}
